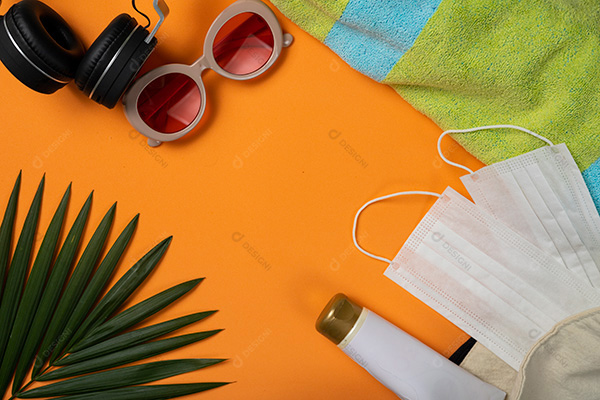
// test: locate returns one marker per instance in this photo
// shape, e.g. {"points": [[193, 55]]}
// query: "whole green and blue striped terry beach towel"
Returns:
{"points": [[467, 63]]}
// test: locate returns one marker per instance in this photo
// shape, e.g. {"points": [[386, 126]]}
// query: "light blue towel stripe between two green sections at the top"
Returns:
{"points": [[398, 23]]}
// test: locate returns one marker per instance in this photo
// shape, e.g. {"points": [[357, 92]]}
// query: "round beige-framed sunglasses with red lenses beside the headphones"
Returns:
{"points": [[168, 102]]}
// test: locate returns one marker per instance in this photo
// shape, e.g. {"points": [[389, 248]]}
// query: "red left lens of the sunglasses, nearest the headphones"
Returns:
{"points": [[170, 103]]}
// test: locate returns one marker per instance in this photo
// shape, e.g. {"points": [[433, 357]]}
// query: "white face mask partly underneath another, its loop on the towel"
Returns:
{"points": [[542, 196]]}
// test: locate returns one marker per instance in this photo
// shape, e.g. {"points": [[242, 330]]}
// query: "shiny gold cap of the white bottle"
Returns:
{"points": [[338, 318]]}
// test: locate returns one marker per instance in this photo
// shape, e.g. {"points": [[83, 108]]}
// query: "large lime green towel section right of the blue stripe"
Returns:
{"points": [[532, 63]]}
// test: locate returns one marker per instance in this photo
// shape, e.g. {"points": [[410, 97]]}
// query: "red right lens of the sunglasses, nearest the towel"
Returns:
{"points": [[244, 44]]}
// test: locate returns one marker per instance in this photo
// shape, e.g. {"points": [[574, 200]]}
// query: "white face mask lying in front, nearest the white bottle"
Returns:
{"points": [[485, 278]]}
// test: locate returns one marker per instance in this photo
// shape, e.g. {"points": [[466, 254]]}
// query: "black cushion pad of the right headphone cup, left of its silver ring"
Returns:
{"points": [[102, 51]]}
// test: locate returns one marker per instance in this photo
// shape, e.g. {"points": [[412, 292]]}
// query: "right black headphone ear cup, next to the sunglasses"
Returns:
{"points": [[113, 60]]}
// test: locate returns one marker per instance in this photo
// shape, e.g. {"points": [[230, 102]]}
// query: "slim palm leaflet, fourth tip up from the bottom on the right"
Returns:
{"points": [[132, 338]]}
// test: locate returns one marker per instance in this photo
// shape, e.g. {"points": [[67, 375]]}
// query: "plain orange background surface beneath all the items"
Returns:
{"points": [[268, 163]]}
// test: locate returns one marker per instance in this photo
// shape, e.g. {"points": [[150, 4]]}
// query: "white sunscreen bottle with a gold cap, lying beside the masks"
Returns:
{"points": [[403, 364]]}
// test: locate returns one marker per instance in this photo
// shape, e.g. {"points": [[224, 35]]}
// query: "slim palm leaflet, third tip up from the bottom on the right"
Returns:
{"points": [[126, 356]]}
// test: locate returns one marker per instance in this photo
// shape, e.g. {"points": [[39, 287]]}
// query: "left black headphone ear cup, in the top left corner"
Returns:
{"points": [[38, 46]]}
